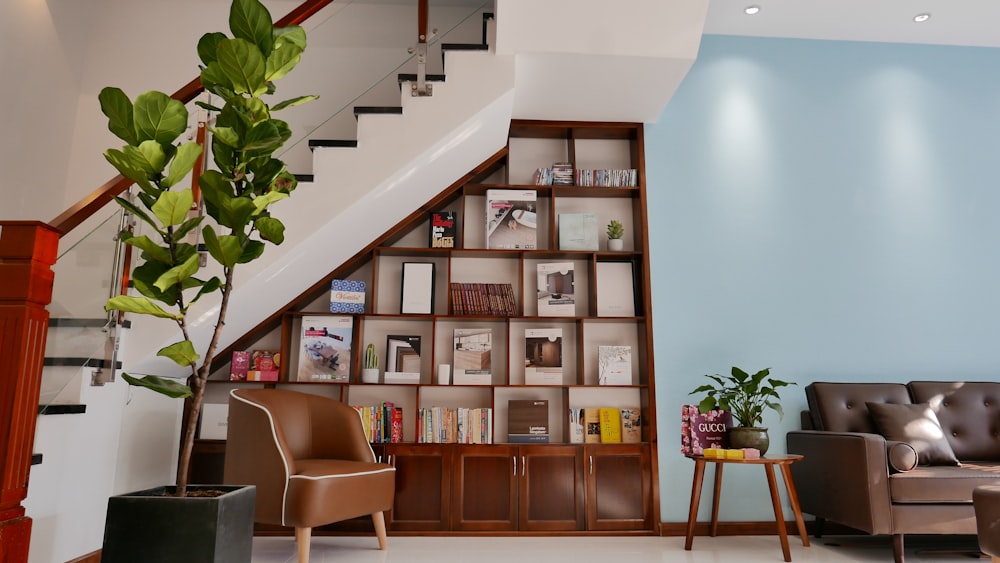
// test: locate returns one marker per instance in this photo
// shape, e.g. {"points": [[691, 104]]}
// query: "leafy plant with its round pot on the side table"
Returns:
{"points": [[745, 396]]}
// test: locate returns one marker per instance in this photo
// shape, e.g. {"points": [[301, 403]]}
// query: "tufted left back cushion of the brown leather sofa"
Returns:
{"points": [[840, 407]]}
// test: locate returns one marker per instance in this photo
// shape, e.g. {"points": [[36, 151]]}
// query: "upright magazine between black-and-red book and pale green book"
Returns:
{"points": [[511, 219]]}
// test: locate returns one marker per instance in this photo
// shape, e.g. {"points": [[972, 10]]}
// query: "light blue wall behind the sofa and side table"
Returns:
{"points": [[827, 209]]}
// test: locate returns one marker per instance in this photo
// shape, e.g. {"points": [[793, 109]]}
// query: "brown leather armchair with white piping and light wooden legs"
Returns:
{"points": [[310, 460]]}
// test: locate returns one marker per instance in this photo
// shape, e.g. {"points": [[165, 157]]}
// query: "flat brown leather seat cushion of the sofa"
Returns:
{"points": [[942, 484]]}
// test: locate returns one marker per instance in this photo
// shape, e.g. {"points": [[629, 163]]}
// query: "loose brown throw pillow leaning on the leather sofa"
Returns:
{"points": [[916, 425]]}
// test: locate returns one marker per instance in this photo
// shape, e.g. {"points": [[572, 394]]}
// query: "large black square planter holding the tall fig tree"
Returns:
{"points": [[152, 527]]}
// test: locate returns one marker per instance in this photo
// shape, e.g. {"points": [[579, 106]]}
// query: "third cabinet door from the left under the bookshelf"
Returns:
{"points": [[550, 489]]}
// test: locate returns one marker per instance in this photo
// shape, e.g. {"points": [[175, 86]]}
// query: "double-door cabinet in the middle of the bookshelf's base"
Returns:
{"points": [[527, 488]]}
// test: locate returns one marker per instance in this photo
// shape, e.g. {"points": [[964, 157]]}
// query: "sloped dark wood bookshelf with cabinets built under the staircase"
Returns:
{"points": [[546, 313]]}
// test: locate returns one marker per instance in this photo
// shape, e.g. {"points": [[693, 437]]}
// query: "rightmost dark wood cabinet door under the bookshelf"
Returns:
{"points": [[619, 491]]}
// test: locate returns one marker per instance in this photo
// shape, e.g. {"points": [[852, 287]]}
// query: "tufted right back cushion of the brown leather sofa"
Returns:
{"points": [[969, 412]]}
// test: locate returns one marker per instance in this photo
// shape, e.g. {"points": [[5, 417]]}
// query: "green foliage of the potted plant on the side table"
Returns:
{"points": [[745, 396]]}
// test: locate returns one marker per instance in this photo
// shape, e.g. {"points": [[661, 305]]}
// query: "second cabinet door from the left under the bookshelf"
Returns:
{"points": [[485, 495]]}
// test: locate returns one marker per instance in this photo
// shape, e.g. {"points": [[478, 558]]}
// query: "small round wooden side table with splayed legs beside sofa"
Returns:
{"points": [[781, 461]]}
